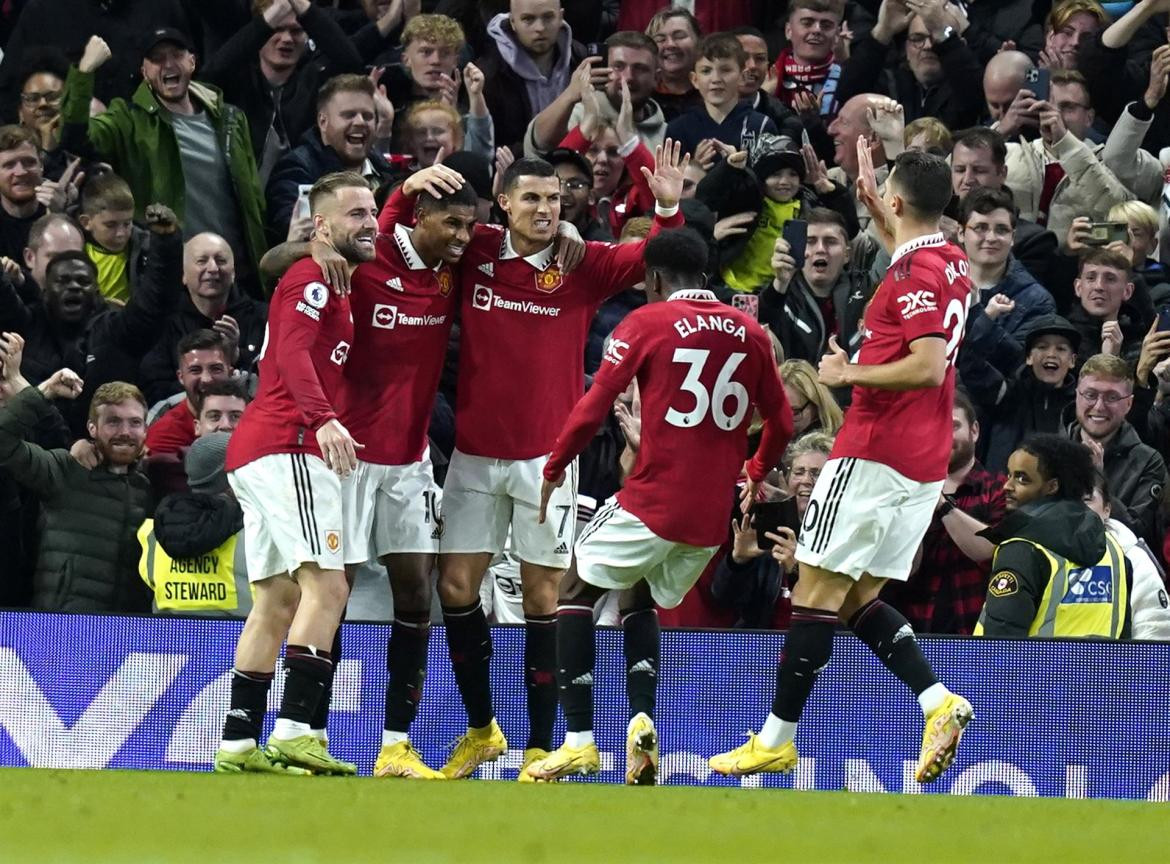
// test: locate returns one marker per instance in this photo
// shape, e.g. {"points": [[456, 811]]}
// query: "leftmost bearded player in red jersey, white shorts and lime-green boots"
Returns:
{"points": [[286, 462]]}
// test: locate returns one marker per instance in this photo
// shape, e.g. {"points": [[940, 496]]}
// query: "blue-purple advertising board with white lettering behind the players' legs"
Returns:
{"points": [[1062, 718]]}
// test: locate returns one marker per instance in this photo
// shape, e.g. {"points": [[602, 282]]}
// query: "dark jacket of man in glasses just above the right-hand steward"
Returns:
{"points": [[1137, 476]]}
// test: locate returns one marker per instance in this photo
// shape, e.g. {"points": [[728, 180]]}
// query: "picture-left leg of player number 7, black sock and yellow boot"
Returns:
{"points": [[470, 641]]}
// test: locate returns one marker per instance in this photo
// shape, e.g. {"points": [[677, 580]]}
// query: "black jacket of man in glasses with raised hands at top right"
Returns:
{"points": [[958, 100]]}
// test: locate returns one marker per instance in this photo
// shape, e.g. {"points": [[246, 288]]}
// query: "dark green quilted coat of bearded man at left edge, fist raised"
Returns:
{"points": [[88, 557]]}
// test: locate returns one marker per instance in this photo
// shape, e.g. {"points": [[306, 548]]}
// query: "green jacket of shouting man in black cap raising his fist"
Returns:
{"points": [[137, 139]]}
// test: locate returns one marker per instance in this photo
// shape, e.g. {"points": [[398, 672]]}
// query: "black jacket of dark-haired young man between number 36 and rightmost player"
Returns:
{"points": [[797, 321]]}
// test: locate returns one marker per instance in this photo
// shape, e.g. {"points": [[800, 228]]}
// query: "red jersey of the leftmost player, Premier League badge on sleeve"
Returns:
{"points": [[307, 342]]}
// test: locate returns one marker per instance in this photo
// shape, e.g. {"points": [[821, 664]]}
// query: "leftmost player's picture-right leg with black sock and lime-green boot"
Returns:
{"points": [[324, 598]]}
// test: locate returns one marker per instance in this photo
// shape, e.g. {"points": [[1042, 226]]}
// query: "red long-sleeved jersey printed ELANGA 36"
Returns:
{"points": [[701, 368]]}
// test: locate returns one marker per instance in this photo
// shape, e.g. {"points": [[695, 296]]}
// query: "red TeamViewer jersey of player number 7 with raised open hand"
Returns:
{"points": [[524, 326]]}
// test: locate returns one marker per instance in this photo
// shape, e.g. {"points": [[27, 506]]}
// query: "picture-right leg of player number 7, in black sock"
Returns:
{"points": [[541, 587]]}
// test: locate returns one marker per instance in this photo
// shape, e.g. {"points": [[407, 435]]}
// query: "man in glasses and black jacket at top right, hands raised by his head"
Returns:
{"points": [[941, 74]]}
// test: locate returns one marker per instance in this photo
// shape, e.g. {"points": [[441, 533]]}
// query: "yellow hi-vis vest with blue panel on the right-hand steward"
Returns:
{"points": [[1083, 601]]}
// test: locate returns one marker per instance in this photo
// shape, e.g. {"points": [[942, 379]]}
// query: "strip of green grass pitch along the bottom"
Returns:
{"points": [[160, 818]]}
